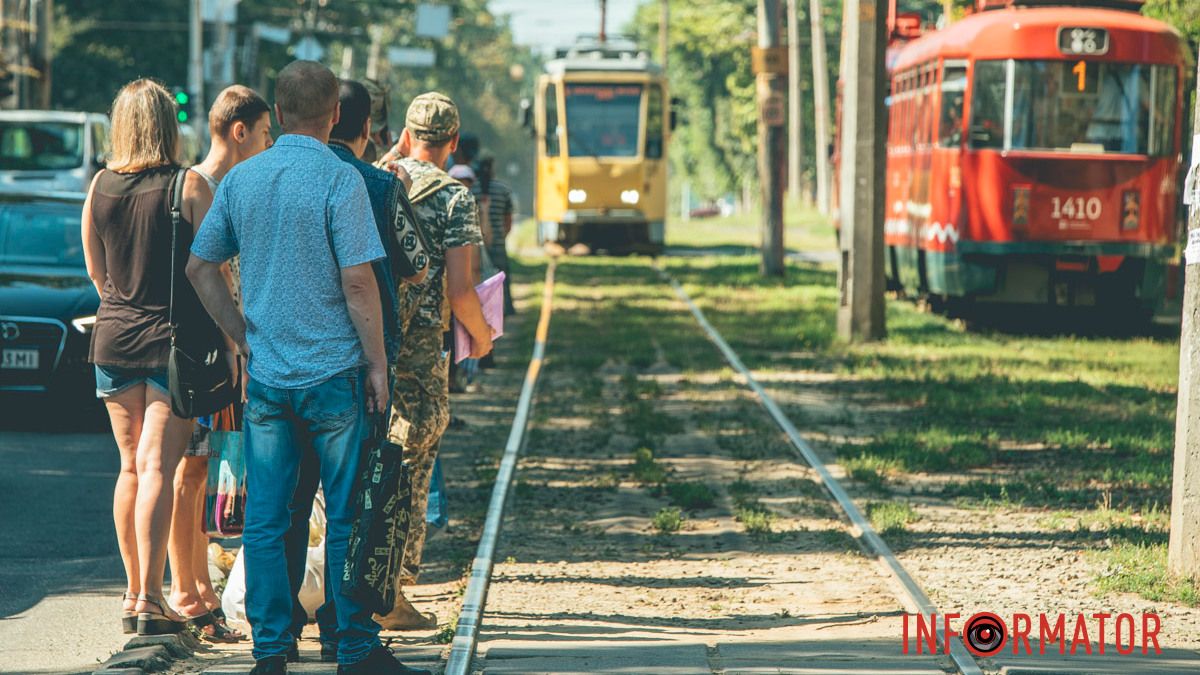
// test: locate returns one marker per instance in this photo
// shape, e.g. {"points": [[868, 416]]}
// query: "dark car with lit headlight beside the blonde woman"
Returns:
{"points": [[47, 303]]}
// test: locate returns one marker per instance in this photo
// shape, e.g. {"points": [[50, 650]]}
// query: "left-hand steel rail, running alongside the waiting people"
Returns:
{"points": [[466, 637]]}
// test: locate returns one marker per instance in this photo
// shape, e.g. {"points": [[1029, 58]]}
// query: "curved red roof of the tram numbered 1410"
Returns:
{"points": [[1033, 33]]}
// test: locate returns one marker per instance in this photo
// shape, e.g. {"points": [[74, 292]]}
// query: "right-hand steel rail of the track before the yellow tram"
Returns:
{"points": [[914, 598]]}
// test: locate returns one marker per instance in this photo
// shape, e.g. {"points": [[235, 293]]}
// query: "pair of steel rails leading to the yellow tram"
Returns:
{"points": [[471, 620]]}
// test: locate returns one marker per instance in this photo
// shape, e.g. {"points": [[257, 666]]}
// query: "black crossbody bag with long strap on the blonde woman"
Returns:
{"points": [[200, 381]]}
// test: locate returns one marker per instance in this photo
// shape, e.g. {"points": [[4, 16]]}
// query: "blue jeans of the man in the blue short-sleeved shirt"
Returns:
{"points": [[280, 427]]}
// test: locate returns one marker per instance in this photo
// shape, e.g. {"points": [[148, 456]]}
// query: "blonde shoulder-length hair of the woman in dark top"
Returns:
{"points": [[146, 129]]}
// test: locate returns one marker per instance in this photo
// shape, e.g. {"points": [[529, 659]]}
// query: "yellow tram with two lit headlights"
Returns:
{"points": [[602, 121]]}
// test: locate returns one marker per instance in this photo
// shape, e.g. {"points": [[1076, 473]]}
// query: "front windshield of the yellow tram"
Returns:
{"points": [[603, 120]]}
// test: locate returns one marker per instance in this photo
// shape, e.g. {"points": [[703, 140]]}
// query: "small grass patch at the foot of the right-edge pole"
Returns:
{"points": [[1142, 569]]}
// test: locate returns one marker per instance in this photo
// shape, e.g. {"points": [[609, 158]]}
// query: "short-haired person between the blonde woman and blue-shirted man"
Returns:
{"points": [[241, 127]]}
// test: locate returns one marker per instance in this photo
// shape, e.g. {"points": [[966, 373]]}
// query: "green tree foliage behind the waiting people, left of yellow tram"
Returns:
{"points": [[101, 46]]}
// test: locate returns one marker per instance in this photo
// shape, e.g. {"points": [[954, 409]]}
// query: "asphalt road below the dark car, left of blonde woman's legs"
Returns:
{"points": [[61, 574]]}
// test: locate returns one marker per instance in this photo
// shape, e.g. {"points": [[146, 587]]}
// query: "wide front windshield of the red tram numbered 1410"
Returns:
{"points": [[1075, 107]]}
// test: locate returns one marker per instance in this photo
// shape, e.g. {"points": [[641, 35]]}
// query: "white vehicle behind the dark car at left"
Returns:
{"points": [[51, 151]]}
